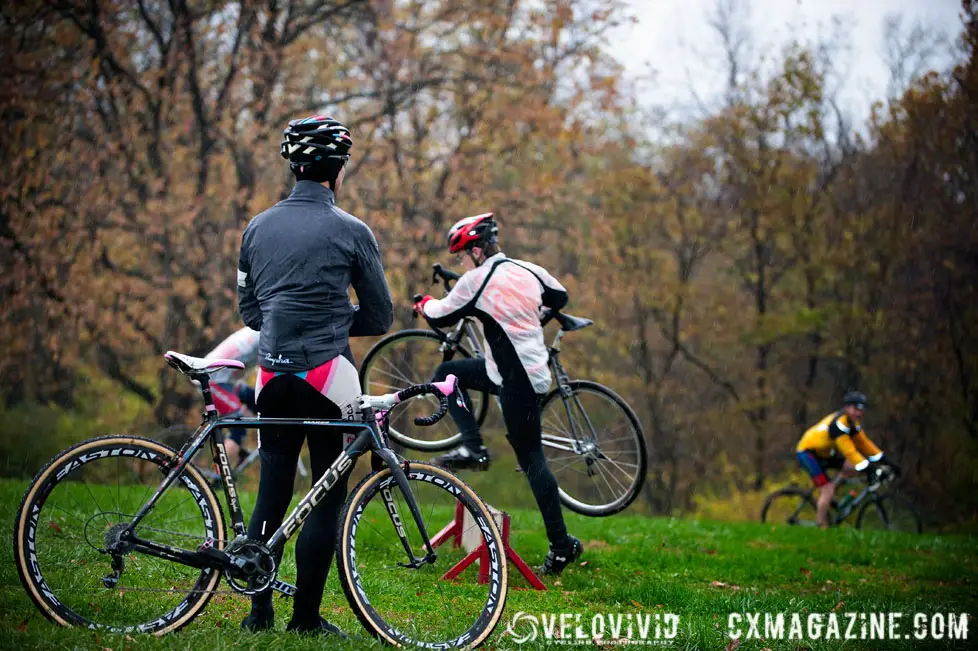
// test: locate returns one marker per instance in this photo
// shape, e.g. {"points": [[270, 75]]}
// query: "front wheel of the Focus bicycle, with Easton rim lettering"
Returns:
{"points": [[395, 599]]}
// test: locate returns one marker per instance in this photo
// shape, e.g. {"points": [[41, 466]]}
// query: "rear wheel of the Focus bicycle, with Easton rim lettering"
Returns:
{"points": [[75, 508]]}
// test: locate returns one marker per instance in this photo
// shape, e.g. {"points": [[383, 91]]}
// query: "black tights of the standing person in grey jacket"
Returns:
{"points": [[287, 396]]}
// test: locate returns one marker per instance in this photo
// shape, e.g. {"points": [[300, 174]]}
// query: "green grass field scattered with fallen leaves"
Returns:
{"points": [[636, 566]]}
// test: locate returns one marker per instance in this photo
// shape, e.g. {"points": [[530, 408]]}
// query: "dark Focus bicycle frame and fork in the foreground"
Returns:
{"points": [[370, 438]]}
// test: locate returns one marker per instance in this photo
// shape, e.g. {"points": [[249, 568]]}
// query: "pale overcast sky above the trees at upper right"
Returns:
{"points": [[673, 39]]}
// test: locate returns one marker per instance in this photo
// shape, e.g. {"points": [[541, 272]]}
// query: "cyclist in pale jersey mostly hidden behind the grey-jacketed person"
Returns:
{"points": [[231, 394]]}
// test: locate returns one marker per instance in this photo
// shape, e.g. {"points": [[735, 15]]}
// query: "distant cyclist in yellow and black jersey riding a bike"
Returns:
{"points": [[839, 442]]}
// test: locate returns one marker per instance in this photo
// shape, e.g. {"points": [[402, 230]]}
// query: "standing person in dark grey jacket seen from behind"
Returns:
{"points": [[298, 260]]}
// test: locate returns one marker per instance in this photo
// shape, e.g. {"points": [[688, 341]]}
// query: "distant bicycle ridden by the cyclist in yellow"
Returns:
{"points": [[874, 509]]}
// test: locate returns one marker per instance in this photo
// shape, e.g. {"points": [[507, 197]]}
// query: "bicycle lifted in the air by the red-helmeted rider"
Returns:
{"points": [[593, 440]]}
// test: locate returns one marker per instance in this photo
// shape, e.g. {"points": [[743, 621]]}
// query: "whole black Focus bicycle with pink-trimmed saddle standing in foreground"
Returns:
{"points": [[97, 547]]}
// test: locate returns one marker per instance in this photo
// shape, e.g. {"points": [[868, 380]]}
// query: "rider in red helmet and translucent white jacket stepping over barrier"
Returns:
{"points": [[507, 296]]}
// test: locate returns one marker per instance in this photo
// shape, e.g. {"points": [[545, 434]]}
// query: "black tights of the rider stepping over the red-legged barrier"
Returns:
{"points": [[521, 412]]}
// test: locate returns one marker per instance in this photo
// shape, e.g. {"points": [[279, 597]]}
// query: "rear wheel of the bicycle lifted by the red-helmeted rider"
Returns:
{"points": [[595, 447]]}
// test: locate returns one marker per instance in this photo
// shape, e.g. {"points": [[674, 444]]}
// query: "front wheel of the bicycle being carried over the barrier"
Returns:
{"points": [[406, 358]]}
